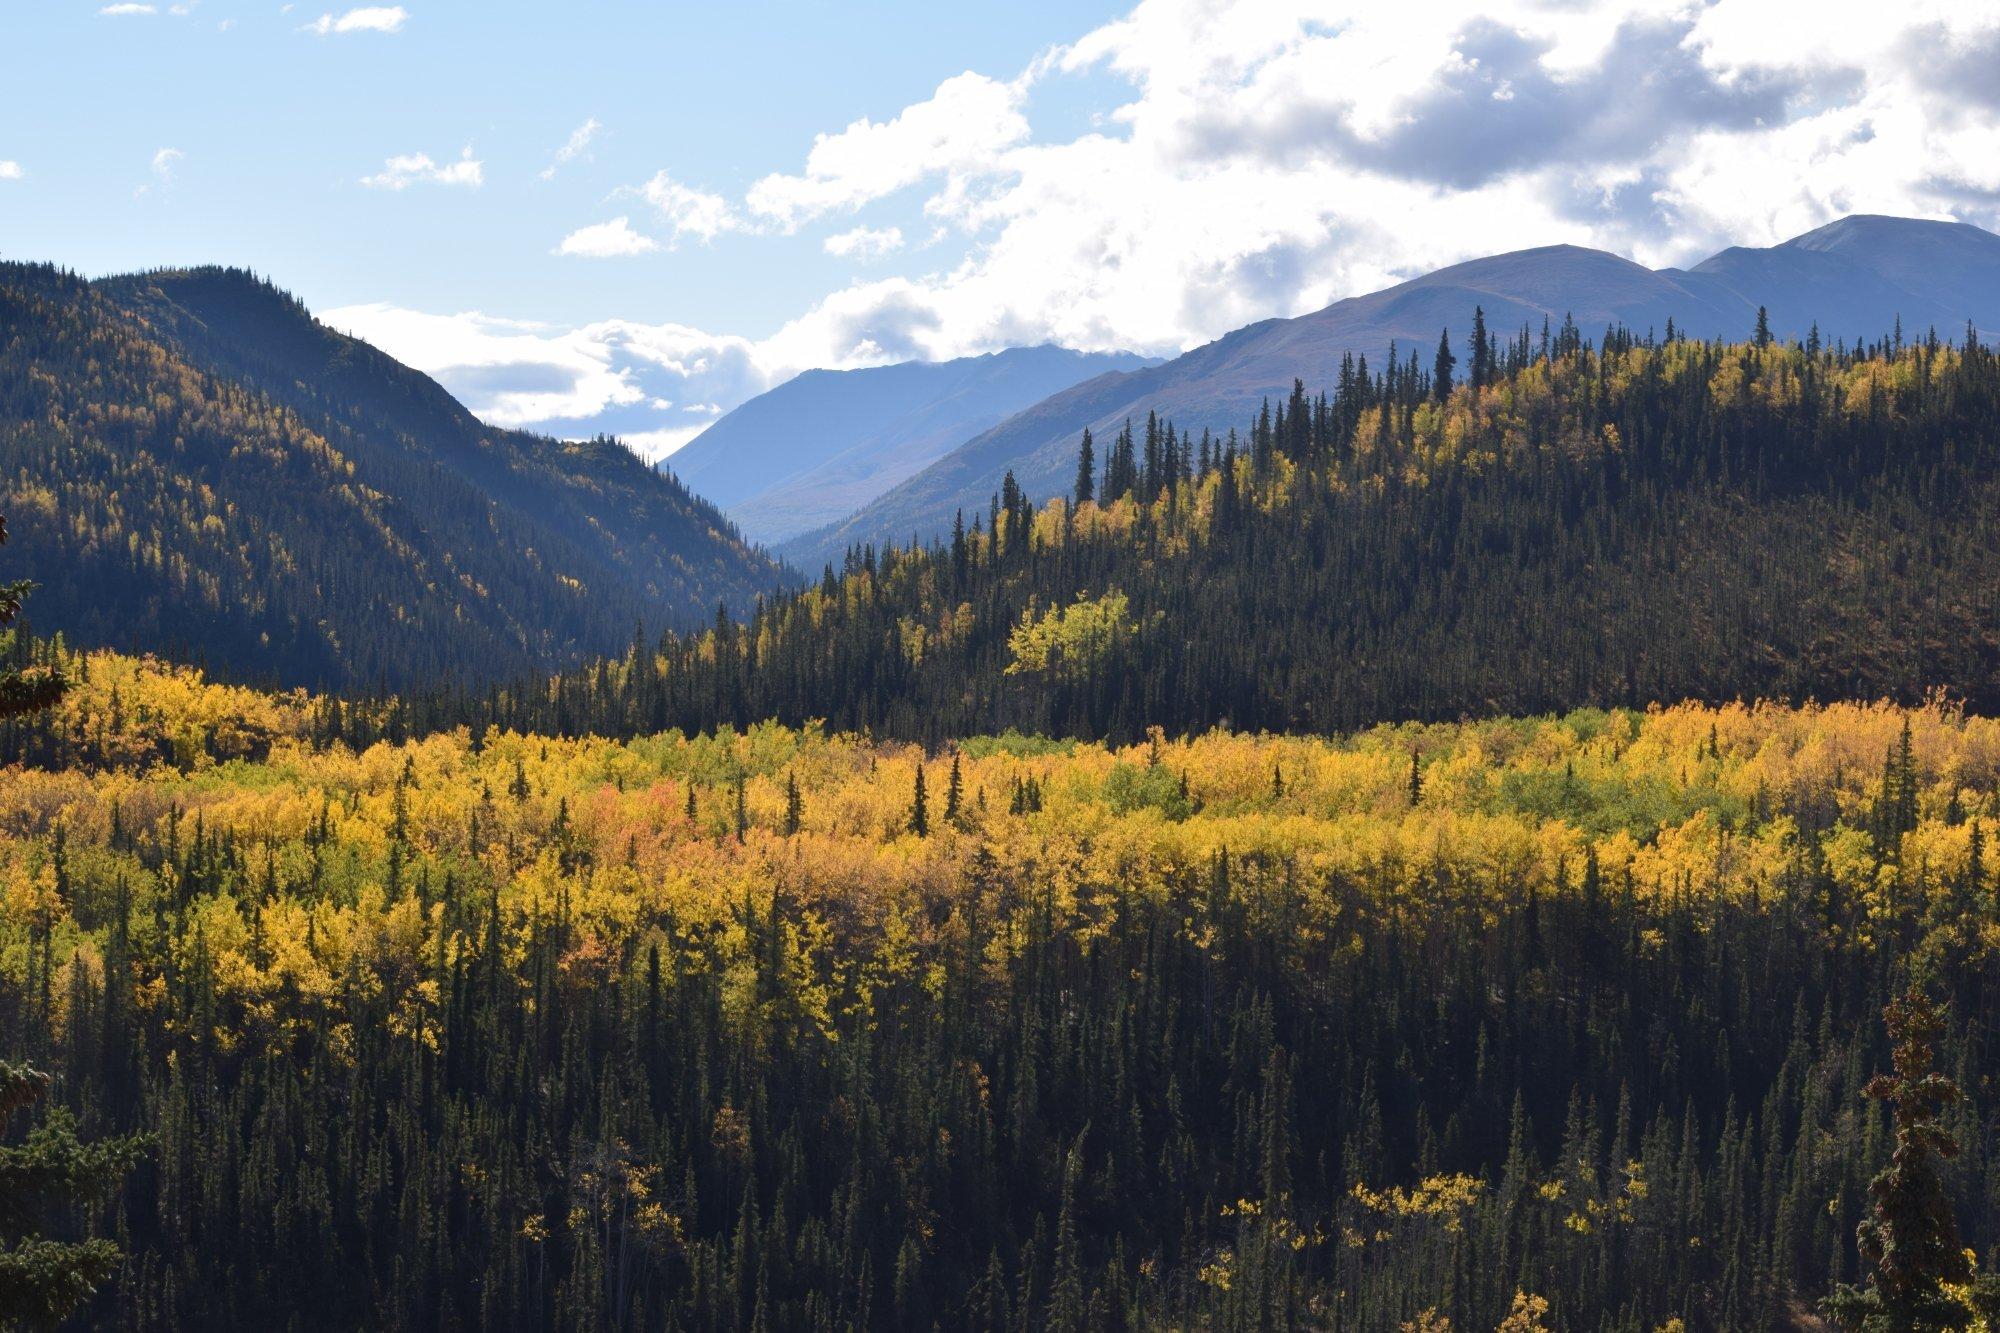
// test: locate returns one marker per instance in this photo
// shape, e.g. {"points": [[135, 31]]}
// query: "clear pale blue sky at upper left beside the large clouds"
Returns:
{"points": [[277, 127]]}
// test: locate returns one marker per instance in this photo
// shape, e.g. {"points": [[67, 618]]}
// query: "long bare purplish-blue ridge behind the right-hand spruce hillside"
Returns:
{"points": [[1853, 277]]}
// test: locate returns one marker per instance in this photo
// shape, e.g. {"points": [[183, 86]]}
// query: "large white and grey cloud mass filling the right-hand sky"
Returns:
{"points": [[1259, 159]]}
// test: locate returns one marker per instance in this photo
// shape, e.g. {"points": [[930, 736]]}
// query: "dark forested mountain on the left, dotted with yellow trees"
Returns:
{"points": [[193, 463]]}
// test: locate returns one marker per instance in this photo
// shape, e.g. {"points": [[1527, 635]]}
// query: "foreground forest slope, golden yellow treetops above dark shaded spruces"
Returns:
{"points": [[1561, 1020]]}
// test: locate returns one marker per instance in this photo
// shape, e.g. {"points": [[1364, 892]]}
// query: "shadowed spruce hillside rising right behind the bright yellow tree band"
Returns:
{"points": [[1553, 525]]}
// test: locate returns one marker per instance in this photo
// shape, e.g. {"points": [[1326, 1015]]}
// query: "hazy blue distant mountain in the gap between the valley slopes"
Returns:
{"points": [[829, 441]]}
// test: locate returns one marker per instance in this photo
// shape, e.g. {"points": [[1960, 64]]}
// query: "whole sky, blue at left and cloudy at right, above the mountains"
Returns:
{"points": [[605, 215]]}
